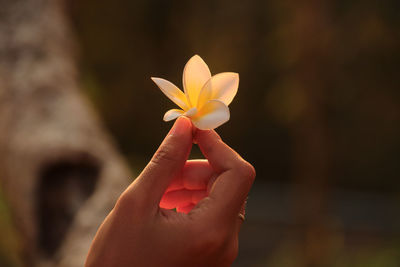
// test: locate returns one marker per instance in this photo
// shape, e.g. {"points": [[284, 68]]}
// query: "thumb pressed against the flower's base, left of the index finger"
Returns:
{"points": [[166, 164]]}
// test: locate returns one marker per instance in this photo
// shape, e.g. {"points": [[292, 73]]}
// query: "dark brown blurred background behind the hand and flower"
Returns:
{"points": [[317, 112]]}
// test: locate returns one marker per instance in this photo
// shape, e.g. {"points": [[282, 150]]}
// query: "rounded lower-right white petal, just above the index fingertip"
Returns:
{"points": [[213, 114]]}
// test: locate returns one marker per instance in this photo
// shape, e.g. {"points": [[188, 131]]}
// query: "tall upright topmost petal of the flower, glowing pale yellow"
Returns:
{"points": [[195, 74]]}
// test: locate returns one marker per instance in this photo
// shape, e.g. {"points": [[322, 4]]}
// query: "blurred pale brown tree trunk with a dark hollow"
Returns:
{"points": [[59, 170]]}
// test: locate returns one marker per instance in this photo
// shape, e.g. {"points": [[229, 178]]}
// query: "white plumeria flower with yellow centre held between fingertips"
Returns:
{"points": [[206, 98]]}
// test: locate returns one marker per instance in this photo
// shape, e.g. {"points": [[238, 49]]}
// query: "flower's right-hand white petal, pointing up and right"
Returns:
{"points": [[224, 86]]}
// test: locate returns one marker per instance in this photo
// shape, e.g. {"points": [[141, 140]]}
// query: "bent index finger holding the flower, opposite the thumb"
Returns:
{"points": [[236, 176]]}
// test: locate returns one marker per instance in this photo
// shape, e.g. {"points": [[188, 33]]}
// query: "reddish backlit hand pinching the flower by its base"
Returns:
{"points": [[208, 194]]}
